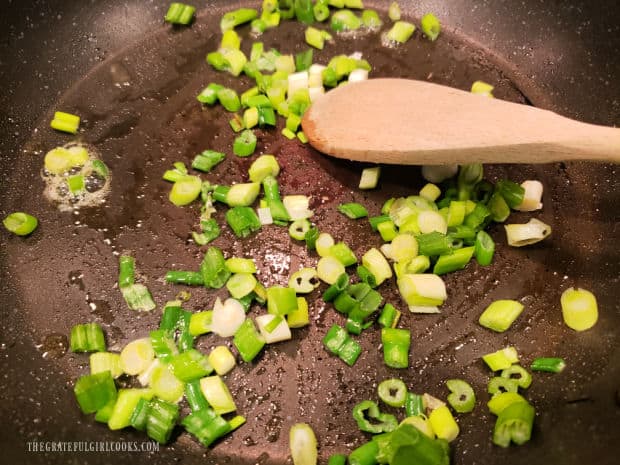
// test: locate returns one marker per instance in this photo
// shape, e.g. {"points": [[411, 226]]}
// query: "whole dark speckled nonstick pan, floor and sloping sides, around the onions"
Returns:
{"points": [[139, 110]]}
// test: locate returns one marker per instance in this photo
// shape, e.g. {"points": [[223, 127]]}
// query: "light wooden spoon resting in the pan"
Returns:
{"points": [[401, 121]]}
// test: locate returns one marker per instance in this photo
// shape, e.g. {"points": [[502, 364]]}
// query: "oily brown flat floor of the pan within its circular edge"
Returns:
{"points": [[139, 109]]}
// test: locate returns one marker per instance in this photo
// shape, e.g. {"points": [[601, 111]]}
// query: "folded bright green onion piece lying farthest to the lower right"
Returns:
{"points": [[514, 424]]}
